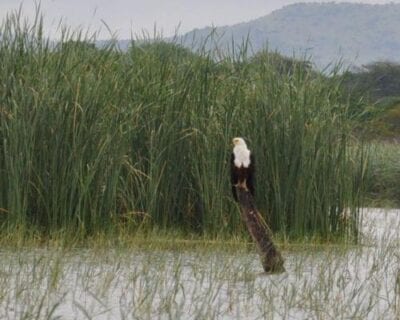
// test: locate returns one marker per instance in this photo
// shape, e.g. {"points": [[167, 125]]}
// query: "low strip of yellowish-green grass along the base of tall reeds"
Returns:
{"points": [[161, 240]]}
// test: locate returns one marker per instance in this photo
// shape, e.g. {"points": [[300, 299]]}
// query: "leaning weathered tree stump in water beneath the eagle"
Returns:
{"points": [[271, 258]]}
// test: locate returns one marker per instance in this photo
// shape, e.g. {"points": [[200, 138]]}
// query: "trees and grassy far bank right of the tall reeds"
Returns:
{"points": [[374, 92]]}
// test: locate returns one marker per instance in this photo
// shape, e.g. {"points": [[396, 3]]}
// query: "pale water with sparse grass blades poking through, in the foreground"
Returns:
{"points": [[360, 282]]}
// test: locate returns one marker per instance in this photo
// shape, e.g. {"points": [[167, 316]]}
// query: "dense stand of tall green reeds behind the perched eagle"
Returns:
{"points": [[95, 139]]}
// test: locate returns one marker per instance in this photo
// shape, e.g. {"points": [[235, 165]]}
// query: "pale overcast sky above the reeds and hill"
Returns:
{"points": [[126, 17]]}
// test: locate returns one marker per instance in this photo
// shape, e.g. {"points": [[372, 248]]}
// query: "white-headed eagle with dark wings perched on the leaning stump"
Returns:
{"points": [[242, 167]]}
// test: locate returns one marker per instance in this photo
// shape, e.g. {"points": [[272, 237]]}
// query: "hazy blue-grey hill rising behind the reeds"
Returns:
{"points": [[357, 33]]}
